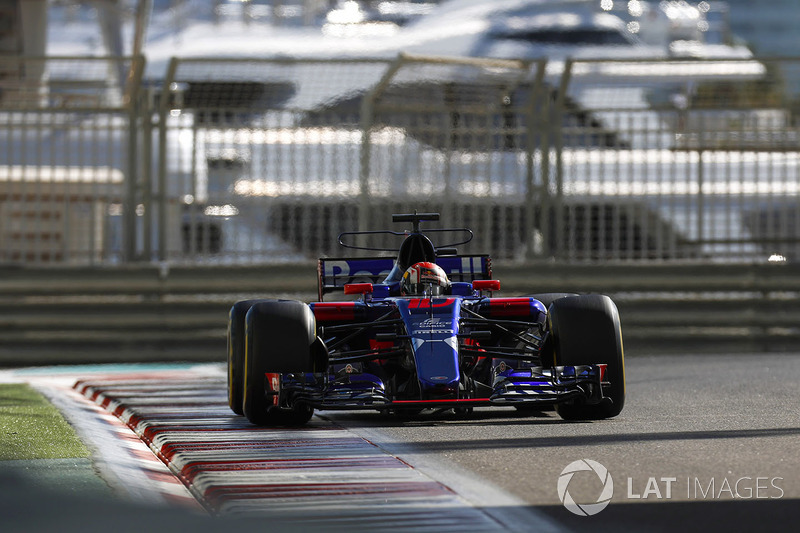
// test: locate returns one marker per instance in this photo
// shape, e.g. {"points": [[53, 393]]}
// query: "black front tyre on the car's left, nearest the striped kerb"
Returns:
{"points": [[279, 339]]}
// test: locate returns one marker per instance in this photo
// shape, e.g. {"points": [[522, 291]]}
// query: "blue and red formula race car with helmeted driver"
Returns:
{"points": [[422, 331]]}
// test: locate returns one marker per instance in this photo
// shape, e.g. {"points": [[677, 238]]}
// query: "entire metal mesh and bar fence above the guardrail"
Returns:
{"points": [[246, 161]]}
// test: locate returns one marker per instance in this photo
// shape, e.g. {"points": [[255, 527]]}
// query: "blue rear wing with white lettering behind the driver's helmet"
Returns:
{"points": [[335, 273]]}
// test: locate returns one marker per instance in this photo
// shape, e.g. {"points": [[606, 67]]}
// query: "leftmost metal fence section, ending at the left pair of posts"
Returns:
{"points": [[69, 164]]}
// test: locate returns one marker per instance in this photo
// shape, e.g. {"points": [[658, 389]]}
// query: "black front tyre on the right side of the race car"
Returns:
{"points": [[585, 330]]}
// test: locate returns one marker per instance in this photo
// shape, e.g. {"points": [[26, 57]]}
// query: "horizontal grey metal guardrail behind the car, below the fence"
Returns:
{"points": [[161, 313]]}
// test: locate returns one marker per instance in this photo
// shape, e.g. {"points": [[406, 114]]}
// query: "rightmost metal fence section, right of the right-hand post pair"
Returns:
{"points": [[703, 163]]}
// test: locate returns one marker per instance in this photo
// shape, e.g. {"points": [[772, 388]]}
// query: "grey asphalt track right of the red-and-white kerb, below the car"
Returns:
{"points": [[697, 425]]}
